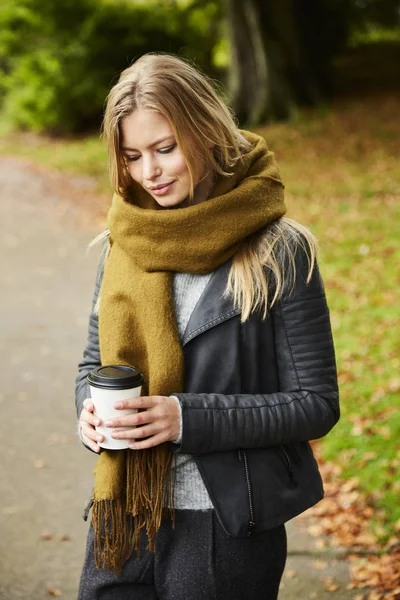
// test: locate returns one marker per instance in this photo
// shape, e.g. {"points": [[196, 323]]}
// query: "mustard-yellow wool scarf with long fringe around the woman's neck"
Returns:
{"points": [[137, 325]]}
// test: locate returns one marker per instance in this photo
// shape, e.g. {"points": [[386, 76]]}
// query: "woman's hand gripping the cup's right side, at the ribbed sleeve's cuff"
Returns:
{"points": [[158, 421]]}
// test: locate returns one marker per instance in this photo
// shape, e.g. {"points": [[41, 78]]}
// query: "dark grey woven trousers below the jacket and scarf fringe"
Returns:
{"points": [[196, 560]]}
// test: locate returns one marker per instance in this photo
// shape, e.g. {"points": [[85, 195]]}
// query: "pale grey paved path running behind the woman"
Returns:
{"points": [[45, 474]]}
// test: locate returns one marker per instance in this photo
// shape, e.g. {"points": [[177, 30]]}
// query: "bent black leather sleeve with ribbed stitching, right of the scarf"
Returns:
{"points": [[307, 405]]}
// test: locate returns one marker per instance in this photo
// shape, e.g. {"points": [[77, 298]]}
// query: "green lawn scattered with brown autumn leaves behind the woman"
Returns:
{"points": [[342, 178]]}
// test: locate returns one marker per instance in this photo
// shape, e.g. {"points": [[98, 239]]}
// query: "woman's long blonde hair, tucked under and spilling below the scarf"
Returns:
{"points": [[206, 131]]}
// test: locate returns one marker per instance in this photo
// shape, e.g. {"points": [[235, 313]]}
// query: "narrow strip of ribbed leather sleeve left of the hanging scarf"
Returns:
{"points": [[91, 353]]}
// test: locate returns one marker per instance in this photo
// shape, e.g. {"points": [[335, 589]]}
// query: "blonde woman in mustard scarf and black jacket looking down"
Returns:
{"points": [[216, 297]]}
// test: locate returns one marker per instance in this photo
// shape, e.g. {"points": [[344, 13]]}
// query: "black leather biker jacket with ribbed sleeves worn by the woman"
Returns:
{"points": [[255, 393]]}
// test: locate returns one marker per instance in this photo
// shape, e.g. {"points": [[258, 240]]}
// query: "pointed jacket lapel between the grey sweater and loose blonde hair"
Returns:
{"points": [[212, 308]]}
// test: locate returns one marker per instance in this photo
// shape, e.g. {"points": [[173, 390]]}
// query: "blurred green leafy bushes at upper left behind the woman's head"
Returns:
{"points": [[59, 59]]}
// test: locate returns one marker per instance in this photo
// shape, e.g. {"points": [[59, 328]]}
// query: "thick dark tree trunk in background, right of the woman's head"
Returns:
{"points": [[280, 57]]}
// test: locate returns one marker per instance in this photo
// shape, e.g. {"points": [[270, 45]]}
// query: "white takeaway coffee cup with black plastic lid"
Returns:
{"points": [[108, 384]]}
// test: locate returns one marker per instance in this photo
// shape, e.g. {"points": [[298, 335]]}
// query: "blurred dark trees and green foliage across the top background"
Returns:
{"points": [[59, 59]]}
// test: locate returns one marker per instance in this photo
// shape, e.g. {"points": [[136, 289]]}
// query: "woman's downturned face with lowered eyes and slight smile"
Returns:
{"points": [[155, 160]]}
